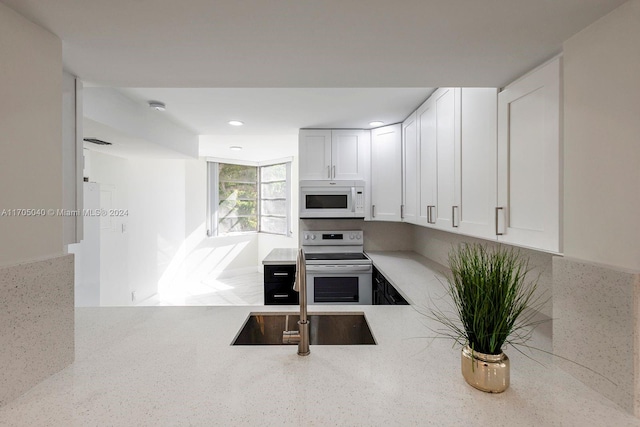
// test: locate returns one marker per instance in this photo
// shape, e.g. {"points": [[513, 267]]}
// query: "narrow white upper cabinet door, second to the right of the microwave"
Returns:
{"points": [[410, 170]]}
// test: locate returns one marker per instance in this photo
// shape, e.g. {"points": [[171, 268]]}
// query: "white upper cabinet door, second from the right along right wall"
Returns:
{"points": [[476, 160]]}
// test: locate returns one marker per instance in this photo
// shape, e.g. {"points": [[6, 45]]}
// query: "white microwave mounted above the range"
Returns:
{"points": [[331, 199]]}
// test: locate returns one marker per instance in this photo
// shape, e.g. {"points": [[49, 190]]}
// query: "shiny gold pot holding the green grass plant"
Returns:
{"points": [[486, 372]]}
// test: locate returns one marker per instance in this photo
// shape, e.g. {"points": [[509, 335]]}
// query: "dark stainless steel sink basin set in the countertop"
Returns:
{"points": [[324, 329]]}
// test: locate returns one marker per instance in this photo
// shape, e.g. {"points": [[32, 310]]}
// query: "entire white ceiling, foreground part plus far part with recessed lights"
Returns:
{"points": [[304, 44]]}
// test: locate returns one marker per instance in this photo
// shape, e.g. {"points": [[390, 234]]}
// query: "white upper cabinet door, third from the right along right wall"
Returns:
{"points": [[447, 104]]}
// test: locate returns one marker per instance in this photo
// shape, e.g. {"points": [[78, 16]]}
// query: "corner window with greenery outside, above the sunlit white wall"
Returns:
{"points": [[247, 198]]}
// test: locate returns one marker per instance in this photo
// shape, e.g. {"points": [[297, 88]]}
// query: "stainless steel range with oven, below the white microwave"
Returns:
{"points": [[338, 271]]}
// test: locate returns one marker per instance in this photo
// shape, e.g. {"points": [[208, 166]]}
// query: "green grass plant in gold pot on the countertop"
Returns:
{"points": [[494, 305]]}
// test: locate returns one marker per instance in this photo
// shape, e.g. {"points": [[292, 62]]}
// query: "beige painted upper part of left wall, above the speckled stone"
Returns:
{"points": [[30, 138]]}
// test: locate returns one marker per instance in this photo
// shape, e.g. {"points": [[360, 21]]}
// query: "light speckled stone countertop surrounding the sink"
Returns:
{"points": [[161, 366]]}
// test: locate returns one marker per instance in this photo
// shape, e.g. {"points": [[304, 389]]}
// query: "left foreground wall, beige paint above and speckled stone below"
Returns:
{"points": [[36, 298]]}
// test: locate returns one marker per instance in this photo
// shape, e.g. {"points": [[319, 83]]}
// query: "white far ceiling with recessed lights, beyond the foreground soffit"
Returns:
{"points": [[282, 111]]}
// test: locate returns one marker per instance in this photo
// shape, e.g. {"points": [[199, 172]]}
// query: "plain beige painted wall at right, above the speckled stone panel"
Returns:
{"points": [[601, 140]]}
